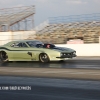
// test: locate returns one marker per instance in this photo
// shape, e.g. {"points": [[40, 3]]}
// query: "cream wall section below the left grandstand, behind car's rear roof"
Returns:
{"points": [[10, 36]]}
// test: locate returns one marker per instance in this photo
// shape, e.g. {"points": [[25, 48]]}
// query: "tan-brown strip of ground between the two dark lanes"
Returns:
{"points": [[52, 73]]}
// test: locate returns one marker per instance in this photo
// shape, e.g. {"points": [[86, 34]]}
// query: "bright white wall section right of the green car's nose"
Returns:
{"points": [[84, 49]]}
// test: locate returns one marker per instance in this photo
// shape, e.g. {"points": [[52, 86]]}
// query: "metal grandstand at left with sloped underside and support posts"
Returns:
{"points": [[17, 18]]}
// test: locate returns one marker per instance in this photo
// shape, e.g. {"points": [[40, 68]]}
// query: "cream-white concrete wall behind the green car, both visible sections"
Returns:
{"points": [[81, 49]]}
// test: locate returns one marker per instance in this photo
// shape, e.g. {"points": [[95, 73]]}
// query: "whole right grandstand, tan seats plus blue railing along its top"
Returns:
{"points": [[59, 30]]}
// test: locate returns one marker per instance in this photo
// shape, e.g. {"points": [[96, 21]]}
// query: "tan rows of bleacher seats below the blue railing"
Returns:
{"points": [[59, 33]]}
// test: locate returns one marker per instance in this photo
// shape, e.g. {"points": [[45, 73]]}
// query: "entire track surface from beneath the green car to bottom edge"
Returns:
{"points": [[76, 79]]}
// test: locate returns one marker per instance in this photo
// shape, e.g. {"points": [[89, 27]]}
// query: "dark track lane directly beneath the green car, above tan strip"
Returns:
{"points": [[79, 62]]}
